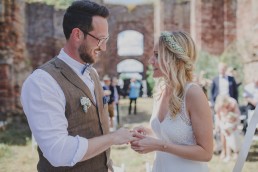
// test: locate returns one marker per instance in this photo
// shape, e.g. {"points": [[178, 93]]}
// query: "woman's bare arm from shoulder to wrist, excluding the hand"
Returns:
{"points": [[201, 119]]}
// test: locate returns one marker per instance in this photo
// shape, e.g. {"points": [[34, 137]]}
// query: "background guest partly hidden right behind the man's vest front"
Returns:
{"points": [[110, 97]]}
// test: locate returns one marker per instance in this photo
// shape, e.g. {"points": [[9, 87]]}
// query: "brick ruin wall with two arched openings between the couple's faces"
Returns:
{"points": [[121, 18]]}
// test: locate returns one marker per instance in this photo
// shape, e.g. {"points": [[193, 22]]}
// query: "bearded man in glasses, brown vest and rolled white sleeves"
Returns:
{"points": [[63, 99]]}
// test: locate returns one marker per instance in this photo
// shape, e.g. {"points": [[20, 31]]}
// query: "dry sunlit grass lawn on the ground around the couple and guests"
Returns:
{"points": [[17, 154]]}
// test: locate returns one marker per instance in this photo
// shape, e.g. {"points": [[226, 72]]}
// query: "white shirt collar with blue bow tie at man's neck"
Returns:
{"points": [[77, 67]]}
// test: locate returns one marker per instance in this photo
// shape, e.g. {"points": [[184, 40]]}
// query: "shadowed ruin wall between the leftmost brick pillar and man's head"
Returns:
{"points": [[44, 32]]}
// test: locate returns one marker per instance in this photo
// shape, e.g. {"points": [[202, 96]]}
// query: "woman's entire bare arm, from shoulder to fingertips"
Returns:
{"points": [[200, 115]]}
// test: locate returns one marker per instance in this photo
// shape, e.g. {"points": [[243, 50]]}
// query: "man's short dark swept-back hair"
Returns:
{"points": [[79, 15]]}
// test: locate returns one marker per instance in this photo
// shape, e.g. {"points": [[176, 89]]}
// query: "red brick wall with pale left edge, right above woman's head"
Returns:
{"points": [[213, 24]]}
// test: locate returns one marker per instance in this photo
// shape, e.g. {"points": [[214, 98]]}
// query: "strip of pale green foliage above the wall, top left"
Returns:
{"points": [[58, 4]]}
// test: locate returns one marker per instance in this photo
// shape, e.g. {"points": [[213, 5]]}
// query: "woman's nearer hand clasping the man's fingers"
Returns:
{"points": [[144, 144]]}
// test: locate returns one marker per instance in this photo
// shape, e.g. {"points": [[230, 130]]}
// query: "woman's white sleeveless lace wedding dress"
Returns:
{"points": [[176, 130]]}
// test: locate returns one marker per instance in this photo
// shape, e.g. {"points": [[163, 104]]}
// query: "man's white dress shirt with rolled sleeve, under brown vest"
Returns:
{"points": [[44, 102]]}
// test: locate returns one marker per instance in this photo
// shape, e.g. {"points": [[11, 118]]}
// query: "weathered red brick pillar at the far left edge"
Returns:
{"points": [[14, 66]]}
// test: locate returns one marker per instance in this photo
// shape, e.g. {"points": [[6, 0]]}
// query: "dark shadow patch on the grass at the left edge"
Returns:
{"points": [[15, 133]]}
